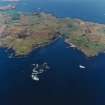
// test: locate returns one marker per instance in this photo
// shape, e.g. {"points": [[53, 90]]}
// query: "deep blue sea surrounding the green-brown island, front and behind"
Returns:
{"points": [[65, 83]]}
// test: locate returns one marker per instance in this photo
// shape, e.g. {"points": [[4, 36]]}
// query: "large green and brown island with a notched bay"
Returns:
{"points": [[24, 32]]}
